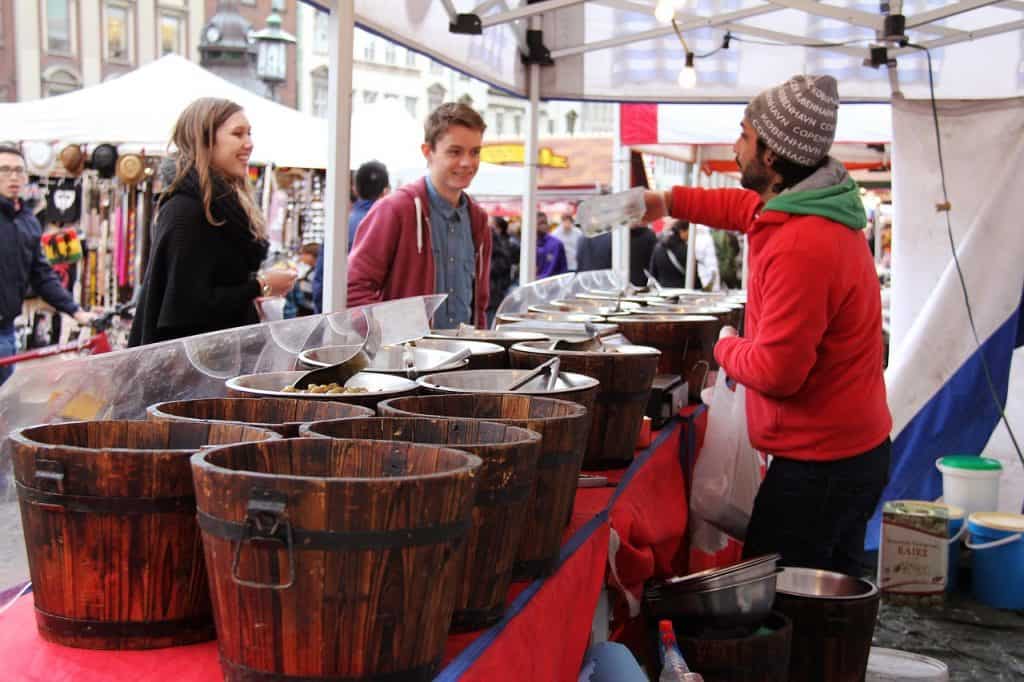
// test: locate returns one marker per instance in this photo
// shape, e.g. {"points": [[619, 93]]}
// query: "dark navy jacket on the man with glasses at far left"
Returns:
{"points": [[23, 264]]}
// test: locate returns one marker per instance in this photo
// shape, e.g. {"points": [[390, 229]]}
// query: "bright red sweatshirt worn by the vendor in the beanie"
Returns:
{"points": [[812, 356]]}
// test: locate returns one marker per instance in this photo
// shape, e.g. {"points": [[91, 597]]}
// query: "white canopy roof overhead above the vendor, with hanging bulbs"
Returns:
{"points": [[618, 51]]}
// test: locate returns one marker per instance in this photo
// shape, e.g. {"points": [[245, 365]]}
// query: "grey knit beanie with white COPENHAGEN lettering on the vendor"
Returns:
{"points": [[797, 120]]}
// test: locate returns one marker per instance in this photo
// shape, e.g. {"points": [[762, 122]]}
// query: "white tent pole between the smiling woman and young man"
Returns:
{"points": [[342, 26]]}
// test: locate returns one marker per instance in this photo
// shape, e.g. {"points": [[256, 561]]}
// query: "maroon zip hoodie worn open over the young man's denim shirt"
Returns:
{"points": [[393, 259]]}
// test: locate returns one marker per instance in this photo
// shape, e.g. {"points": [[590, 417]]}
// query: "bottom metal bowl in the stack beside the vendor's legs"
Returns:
{"points": [[743, 604]]}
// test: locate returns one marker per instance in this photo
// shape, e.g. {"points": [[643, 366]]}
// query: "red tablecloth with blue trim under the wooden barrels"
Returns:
{"points": [[542, 637]]}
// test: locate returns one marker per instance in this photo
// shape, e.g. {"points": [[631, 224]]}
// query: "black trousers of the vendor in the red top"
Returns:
{"points": [[816, 514]]}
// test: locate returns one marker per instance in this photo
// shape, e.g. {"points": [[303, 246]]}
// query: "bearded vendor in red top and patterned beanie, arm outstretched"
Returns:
{"points": [[812, 357]]}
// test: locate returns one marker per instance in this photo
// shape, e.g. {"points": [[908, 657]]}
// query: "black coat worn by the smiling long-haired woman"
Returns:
{"points": [[201, 278]]}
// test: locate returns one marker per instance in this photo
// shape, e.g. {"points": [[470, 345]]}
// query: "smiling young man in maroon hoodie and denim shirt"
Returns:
{"points": [[430, 237]]}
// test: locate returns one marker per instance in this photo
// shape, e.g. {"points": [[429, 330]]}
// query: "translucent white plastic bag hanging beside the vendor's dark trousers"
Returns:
{"points": [[729, 471]]}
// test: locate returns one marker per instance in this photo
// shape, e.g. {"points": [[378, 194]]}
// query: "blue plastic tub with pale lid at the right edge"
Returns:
{"points": [[998, 561]]}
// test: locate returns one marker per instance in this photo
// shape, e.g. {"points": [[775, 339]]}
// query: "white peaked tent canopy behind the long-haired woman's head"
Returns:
{"points": [[140, 109]]}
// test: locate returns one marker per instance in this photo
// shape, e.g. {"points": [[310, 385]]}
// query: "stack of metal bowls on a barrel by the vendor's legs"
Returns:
{"points": [[736, 596]]}
